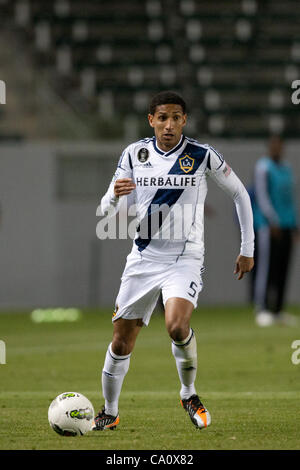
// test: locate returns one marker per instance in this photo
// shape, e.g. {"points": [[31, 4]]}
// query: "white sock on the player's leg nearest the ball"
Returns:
{"points": [[114, 370]]}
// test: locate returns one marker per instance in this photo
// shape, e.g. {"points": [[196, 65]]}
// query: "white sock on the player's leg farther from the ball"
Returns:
{"points": [[185, 354]]}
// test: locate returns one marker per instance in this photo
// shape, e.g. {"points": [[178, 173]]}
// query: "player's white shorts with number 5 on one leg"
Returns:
{"points": [[143, 281]]}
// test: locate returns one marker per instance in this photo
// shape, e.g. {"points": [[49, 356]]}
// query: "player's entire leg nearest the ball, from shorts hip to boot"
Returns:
{"points": [[135, 303]]}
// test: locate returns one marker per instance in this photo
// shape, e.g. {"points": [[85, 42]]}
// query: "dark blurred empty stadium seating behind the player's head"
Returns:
{"points": [[233, 60]]}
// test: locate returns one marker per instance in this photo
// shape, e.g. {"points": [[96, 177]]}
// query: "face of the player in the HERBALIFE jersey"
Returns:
{"points": [[167, 121]]}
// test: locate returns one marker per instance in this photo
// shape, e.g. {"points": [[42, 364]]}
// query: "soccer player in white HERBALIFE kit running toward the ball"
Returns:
{"points": [[167, 173]]}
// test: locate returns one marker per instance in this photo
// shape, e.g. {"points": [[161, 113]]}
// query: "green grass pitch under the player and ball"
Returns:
{"points": [[245, 378]]}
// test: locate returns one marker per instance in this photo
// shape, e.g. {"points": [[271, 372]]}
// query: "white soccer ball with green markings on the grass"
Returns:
{"points": [[71, 414]]}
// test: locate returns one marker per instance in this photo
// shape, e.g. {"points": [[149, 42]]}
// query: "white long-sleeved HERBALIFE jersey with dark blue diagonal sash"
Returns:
{"points": [[170, 193]]}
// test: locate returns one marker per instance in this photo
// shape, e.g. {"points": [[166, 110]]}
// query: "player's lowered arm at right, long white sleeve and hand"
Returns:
{"points": [[227, 180]]}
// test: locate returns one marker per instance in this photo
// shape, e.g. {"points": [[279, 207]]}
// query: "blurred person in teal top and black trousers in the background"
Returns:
{"points": [[276, 227]]}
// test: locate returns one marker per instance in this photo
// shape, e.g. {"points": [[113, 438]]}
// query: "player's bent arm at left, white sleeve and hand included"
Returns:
{"points": [[121, 185]]}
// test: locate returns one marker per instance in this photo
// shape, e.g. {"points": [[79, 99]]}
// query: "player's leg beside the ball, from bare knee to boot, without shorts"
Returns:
{"points": [[115, 368]]}
